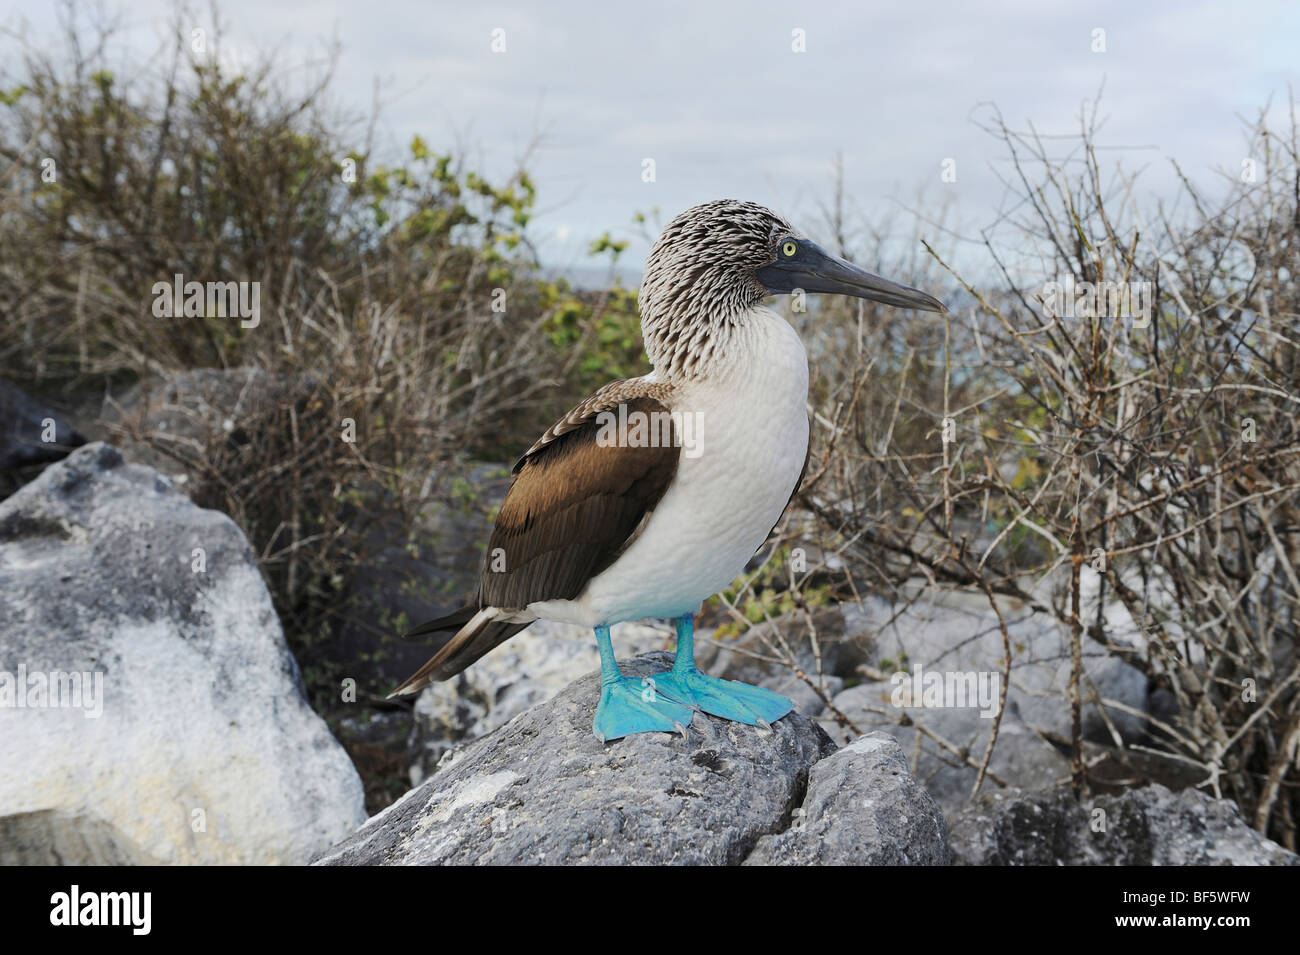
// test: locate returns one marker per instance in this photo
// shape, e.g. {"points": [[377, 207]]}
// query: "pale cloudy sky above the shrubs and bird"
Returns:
{"points": [[756, 101]]}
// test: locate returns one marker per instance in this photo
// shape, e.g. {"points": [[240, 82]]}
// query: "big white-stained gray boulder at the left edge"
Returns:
{"points": [[203, 749]]}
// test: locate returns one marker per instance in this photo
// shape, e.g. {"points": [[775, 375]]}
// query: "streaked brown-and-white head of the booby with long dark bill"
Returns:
{"points": [[716, 262]]}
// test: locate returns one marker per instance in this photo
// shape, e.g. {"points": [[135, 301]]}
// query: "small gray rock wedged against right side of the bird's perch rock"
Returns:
{"points": [[863, 809]]}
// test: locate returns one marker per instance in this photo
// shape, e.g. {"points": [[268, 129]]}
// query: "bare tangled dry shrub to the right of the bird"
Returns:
{"points": [[1094, 461]]}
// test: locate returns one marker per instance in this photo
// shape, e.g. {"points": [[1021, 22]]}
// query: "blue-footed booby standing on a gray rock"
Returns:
{"points": [[655, 493]]}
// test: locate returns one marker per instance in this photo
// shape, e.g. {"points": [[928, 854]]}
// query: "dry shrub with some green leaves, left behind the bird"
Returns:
{"points": [[400, 306]]}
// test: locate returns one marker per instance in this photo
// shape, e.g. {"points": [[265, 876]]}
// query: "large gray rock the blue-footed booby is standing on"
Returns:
{"points": [[543, 789]]}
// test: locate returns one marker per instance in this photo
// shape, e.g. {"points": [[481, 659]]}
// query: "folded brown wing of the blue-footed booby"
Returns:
{"points": [[580, 497]]}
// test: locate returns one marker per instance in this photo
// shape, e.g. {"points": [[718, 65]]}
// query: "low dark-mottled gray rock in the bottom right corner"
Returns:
{"points": [[1143, 827]]}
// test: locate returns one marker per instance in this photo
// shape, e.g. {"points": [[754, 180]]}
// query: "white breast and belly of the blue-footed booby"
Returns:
{"points": [[752, 432]]}
